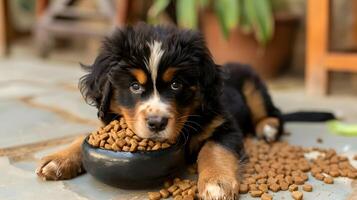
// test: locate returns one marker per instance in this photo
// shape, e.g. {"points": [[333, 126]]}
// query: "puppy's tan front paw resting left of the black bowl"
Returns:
{"points": [[59, 167]]}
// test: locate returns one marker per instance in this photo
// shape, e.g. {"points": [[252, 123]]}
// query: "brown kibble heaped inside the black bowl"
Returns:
{"points": [[117, 136]]}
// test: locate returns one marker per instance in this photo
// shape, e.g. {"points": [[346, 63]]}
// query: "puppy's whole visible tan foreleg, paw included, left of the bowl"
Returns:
{"points": [[64, 164]]}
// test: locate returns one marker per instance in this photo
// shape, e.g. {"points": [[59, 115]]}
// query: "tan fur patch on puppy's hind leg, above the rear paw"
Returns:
{"points": [[255, 101]]}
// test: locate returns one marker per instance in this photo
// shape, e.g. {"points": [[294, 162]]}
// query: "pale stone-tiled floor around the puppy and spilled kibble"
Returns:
{"points": [[41, 110]]}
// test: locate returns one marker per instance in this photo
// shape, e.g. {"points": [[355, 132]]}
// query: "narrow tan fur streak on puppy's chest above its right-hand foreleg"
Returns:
{"points": [[207, 132]]}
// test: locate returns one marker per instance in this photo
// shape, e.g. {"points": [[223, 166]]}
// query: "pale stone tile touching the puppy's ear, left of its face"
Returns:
{"points": [[69, 101]]}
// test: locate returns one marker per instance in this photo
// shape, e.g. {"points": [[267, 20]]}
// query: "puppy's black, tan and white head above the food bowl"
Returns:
{"points": [[155, 77]]}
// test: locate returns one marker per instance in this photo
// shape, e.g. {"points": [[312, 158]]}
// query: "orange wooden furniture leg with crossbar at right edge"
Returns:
{"points": [[319, 59]]}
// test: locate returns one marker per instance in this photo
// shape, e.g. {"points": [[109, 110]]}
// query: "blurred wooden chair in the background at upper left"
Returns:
{"points": [[48, 23]]}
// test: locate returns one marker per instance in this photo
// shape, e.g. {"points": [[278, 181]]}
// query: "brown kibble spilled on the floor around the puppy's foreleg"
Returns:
{"points": [[273, 167]]}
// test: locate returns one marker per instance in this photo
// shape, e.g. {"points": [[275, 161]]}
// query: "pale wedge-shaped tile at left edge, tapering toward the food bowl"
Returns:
{"points": [[21, 124]]}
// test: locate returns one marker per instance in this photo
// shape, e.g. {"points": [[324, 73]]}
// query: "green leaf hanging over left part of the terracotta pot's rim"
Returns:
{"points": [[228, 13]]}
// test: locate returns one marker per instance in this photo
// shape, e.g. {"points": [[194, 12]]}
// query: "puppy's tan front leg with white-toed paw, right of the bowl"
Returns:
{"points": [[217, 172]]}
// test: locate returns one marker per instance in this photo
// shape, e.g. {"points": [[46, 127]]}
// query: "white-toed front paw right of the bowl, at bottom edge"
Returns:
{"points": [[218, 188]]}
